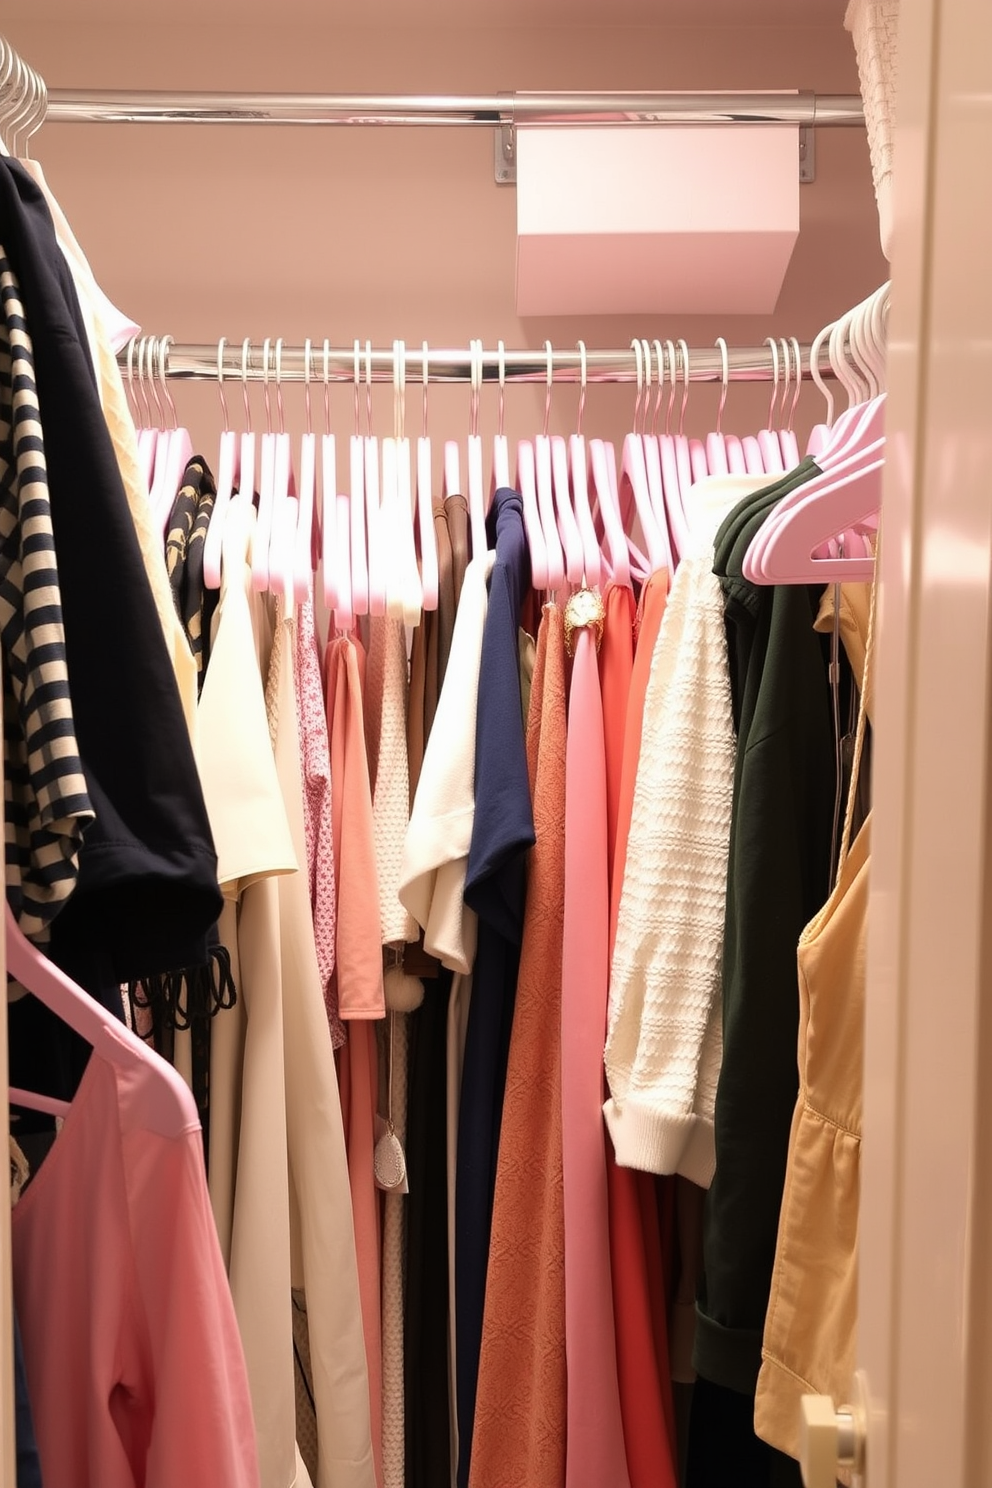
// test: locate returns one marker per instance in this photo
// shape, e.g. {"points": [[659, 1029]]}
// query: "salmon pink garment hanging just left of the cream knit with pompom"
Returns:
{"points": [[361, 995]]}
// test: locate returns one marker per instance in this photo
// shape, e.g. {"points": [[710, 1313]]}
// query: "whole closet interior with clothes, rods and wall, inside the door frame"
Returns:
{"points": [[437, 746]]}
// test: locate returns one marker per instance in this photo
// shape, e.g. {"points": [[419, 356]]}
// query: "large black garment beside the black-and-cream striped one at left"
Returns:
{"points": [[148, 876]]}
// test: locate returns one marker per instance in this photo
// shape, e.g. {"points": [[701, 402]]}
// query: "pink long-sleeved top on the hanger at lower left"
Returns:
{"points": [[132, 1347]]}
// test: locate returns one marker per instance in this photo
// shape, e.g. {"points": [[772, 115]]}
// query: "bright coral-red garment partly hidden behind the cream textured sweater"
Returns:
{"points": [[636, 1251]]}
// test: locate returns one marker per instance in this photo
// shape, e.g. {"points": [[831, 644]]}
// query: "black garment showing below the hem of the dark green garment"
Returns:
{"points": [[724, 1450]]}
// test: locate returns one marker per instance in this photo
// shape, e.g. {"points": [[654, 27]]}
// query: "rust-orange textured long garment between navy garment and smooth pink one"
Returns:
{"points": [[520, 1431]]}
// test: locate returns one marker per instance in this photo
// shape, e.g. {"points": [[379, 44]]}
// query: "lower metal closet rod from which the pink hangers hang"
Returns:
{"points": [[199, 362]]}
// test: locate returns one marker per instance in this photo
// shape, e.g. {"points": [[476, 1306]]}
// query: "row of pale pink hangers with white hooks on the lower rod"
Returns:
{"points": [[588, 514]]}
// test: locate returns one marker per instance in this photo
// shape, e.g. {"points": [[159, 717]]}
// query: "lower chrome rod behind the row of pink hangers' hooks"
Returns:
{"points": [[160, 356]]}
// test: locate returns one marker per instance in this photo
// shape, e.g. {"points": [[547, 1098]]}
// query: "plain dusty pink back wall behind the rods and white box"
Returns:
{"points": [[402, 233]]}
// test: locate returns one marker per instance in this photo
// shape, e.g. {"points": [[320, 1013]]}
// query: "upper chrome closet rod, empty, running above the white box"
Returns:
{"points": [[88, 106]]}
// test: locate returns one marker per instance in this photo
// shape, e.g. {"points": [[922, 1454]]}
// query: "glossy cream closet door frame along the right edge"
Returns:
{"points": [[926, 1236]]}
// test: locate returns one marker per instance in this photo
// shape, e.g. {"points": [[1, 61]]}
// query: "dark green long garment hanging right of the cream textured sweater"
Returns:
{"points": [[779, 877]]}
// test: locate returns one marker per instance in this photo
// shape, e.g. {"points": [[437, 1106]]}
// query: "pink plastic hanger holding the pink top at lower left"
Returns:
{"points": [[109, 1038]]}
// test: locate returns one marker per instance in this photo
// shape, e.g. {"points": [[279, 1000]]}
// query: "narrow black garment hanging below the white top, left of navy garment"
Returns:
{"points": [[426, 1318]]}
